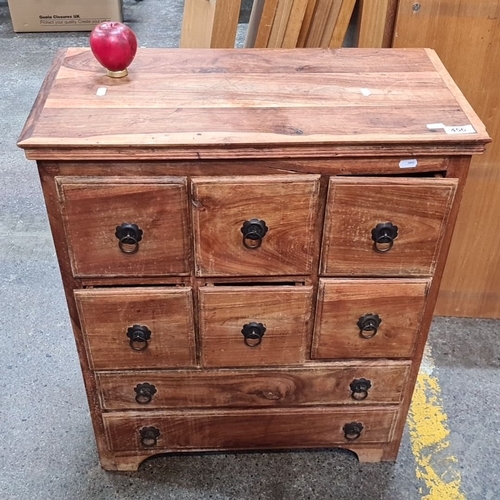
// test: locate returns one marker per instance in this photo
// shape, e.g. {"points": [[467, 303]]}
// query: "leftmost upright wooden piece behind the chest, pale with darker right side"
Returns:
{"points": [[210, 23]]}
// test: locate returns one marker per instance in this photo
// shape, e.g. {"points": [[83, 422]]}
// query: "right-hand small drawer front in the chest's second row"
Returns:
{"points": [[378, 318]]}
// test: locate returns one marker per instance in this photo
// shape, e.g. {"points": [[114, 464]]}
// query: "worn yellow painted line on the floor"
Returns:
{"points": [[437, 468]]}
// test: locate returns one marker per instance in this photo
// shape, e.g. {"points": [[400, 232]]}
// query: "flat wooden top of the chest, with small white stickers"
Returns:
{"points": [[188, 102]]}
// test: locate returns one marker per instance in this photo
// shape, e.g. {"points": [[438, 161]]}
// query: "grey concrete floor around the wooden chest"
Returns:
{"points": [[47, 448]]}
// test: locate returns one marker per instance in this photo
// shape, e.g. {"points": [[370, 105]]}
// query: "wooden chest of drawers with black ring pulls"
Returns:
{"points": [[251, 241]]}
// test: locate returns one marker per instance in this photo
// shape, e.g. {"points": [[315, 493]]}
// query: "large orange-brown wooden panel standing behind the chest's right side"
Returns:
{"points": [[470, 282]]}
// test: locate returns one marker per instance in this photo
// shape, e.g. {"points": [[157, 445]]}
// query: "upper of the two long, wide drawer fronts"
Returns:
{"points": [[346, 383]]}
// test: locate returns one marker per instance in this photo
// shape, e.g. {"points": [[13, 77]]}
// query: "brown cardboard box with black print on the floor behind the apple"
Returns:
{"points": [[62, 15]]}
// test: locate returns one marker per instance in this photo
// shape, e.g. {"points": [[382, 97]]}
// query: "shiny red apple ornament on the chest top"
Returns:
{"points": [[114, 45]]}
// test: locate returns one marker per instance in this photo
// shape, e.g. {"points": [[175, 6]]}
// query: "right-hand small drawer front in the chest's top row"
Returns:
{"points": [[385, 227]]}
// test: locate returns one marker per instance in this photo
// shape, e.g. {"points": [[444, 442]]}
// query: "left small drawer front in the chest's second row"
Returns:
{"points": [[116, 322]]}
